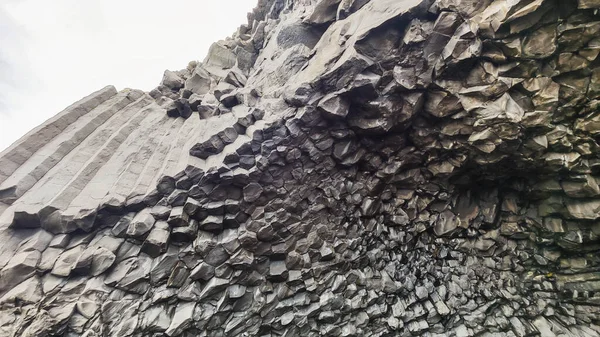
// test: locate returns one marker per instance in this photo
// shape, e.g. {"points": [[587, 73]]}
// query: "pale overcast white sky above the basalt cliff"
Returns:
{"points": [[54, 52]]}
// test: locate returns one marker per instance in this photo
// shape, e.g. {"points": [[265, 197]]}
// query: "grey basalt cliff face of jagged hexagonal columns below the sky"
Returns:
{"points": [[336, 168]]}
